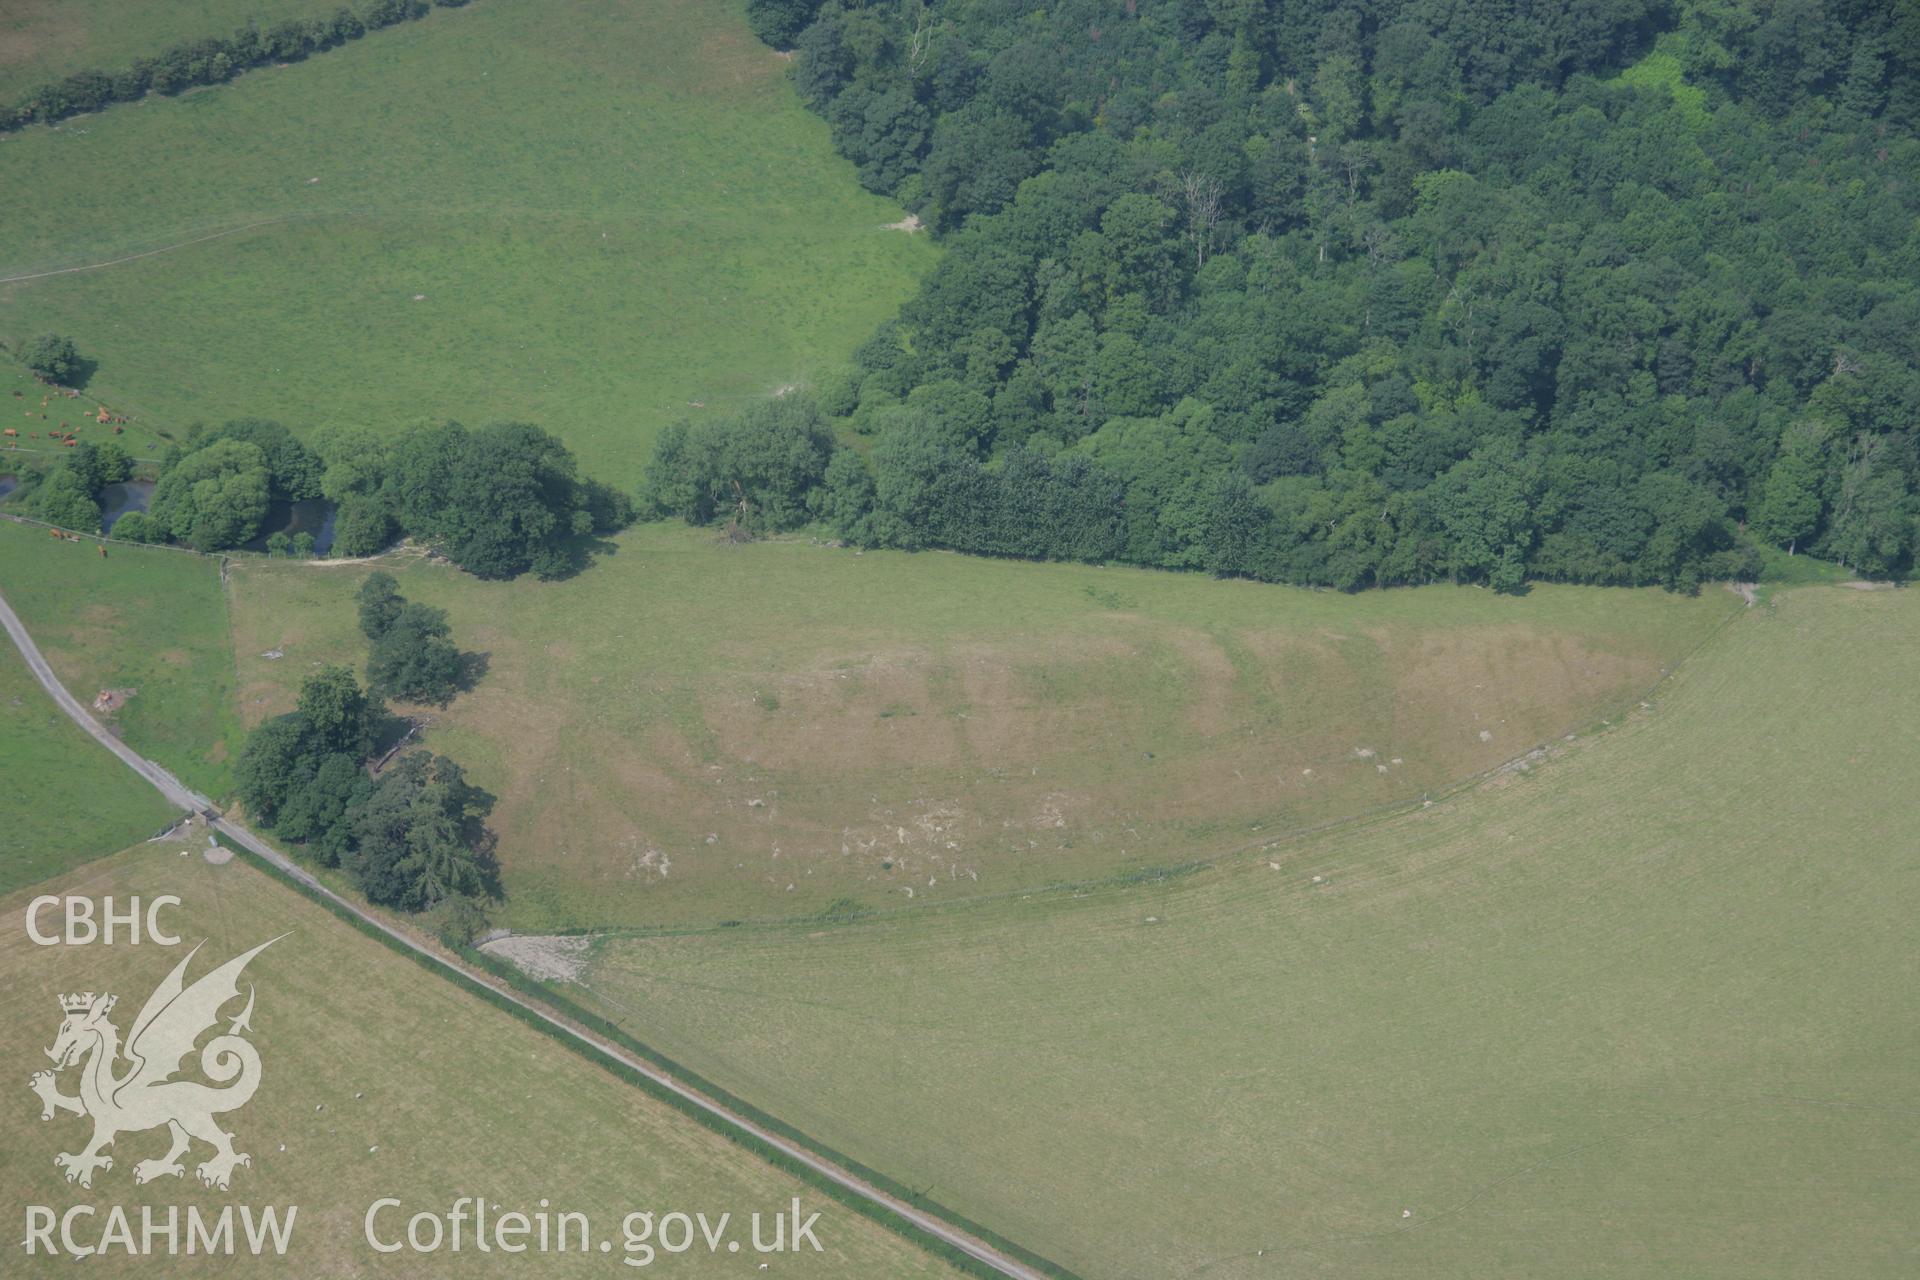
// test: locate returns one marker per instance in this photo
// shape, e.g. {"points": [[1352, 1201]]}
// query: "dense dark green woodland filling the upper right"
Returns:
{"points": [[1339, 295]]}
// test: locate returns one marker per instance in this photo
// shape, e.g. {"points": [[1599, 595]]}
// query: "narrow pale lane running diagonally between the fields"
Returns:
{"points": [[197, 803]]}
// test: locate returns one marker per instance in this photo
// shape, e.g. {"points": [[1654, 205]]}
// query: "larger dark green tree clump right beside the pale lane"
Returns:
{"points": [[412, 840]]}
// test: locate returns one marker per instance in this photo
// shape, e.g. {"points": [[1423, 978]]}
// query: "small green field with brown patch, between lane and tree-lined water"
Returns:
{"points": [[147, 625]]}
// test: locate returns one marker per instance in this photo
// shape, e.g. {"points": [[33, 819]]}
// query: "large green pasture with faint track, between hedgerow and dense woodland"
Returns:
{"points": [[585, 216]]}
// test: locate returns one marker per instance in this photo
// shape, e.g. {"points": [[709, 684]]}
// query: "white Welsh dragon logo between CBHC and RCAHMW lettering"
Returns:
{"points": [[147, 1095]]}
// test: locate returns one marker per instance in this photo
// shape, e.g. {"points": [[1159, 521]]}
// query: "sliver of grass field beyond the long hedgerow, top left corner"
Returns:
{"points": [[43, 41]]}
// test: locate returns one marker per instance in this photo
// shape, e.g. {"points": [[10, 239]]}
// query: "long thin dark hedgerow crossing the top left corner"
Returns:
{"points": [[210, 60]]}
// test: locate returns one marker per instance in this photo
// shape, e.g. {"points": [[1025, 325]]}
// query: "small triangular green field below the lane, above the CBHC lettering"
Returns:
{"points": [[62, 797]]}
